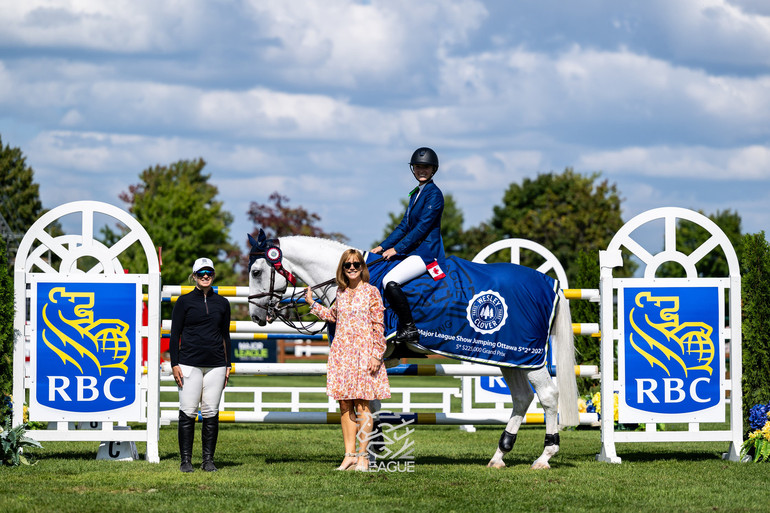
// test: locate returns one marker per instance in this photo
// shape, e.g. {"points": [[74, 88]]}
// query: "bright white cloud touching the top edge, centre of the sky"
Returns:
{"points": [[348, 44]]}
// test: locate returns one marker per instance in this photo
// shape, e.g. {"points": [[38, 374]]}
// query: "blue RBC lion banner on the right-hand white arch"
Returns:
{"points": [[671, 363]]}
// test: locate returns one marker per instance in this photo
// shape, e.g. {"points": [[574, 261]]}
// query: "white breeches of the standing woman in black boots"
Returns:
{"points": [[202, 386]]}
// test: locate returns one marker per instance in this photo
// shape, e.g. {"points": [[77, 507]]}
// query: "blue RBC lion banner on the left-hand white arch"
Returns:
{"points": [[86, 347]]}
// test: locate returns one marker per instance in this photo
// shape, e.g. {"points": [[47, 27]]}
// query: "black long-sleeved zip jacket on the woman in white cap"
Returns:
{"points": [[200, 330]]}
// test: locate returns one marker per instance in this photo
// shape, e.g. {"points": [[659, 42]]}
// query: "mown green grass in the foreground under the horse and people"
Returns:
{"points": [[290, 468]]}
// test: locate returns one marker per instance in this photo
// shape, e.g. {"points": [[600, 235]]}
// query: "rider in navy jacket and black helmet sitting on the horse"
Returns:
{"points": [[416, 241]]}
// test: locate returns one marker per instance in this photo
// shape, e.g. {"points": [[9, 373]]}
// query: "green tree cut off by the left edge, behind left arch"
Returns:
{"points": [[20, 204]]}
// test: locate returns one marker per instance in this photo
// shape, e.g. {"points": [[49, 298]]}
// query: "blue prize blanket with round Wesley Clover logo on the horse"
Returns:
{"points": [[499, 314]]}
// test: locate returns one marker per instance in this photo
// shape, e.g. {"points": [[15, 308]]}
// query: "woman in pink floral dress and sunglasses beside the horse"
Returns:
{"points": [[355, 374]]}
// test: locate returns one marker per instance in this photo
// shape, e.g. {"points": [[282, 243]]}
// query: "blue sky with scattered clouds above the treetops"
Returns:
{"points": [[324, 101]]}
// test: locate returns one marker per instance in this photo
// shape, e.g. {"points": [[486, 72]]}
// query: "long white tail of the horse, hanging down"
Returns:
{"points": [[565, 364]]}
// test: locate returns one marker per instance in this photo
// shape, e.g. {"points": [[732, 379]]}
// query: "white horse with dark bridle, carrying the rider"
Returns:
{"points": [[315, 261]]}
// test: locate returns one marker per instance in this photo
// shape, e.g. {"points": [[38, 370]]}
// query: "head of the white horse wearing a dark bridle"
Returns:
{"points": [[268, 279]]}
